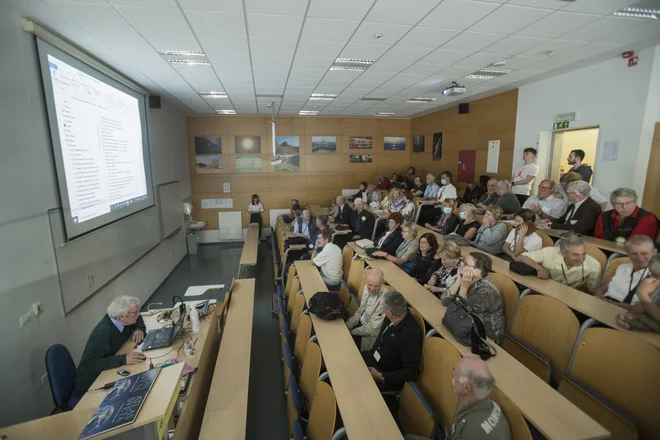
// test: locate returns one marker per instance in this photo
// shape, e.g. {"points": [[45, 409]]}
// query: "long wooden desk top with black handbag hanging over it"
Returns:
{"points": [[545, 408]]}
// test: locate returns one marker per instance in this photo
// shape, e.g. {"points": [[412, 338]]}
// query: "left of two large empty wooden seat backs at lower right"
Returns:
{"points": [[548, 326]]}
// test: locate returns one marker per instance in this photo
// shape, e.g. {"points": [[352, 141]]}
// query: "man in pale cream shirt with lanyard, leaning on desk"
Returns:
{"points": [[567, 264]]}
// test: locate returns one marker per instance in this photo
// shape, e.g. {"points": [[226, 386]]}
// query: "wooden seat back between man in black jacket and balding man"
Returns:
{"points": [[439, 358]]}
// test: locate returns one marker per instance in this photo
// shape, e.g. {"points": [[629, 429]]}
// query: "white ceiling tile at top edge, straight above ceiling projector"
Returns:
{"points": [[458, 14]]}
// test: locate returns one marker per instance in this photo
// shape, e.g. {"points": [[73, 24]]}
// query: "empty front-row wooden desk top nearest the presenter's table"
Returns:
{"points": [[226, 407]]}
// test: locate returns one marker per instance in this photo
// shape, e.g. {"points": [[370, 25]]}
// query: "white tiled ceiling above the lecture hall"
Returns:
{"points": [[285, 47]]}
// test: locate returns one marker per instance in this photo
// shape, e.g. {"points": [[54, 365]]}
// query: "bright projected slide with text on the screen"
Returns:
{"points": [[101, 141]]}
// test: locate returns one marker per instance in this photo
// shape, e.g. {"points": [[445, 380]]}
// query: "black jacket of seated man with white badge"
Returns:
{"points": [[400, 350]]}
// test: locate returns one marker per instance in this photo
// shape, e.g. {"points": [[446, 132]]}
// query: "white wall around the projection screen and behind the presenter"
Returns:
{"points": [[27, 266]]}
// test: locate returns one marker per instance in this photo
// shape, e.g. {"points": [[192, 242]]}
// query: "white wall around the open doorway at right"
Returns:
{"points": [[608, 94]]}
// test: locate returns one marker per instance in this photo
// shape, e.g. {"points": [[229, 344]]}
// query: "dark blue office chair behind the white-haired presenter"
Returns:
{"points": [[61, 372]]}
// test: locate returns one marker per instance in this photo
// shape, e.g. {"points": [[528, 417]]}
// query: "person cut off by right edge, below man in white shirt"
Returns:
{"points": [[645, 315]]}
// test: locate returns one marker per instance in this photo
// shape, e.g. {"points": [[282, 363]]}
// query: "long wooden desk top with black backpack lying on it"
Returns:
{"points": [[363, 410]]}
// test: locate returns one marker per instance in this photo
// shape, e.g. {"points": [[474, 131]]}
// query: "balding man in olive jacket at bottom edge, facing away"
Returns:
{"points": [[479, 417]]}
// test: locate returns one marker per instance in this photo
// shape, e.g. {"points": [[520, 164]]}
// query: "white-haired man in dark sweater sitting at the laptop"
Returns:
{"points": [[121, 323]]}
